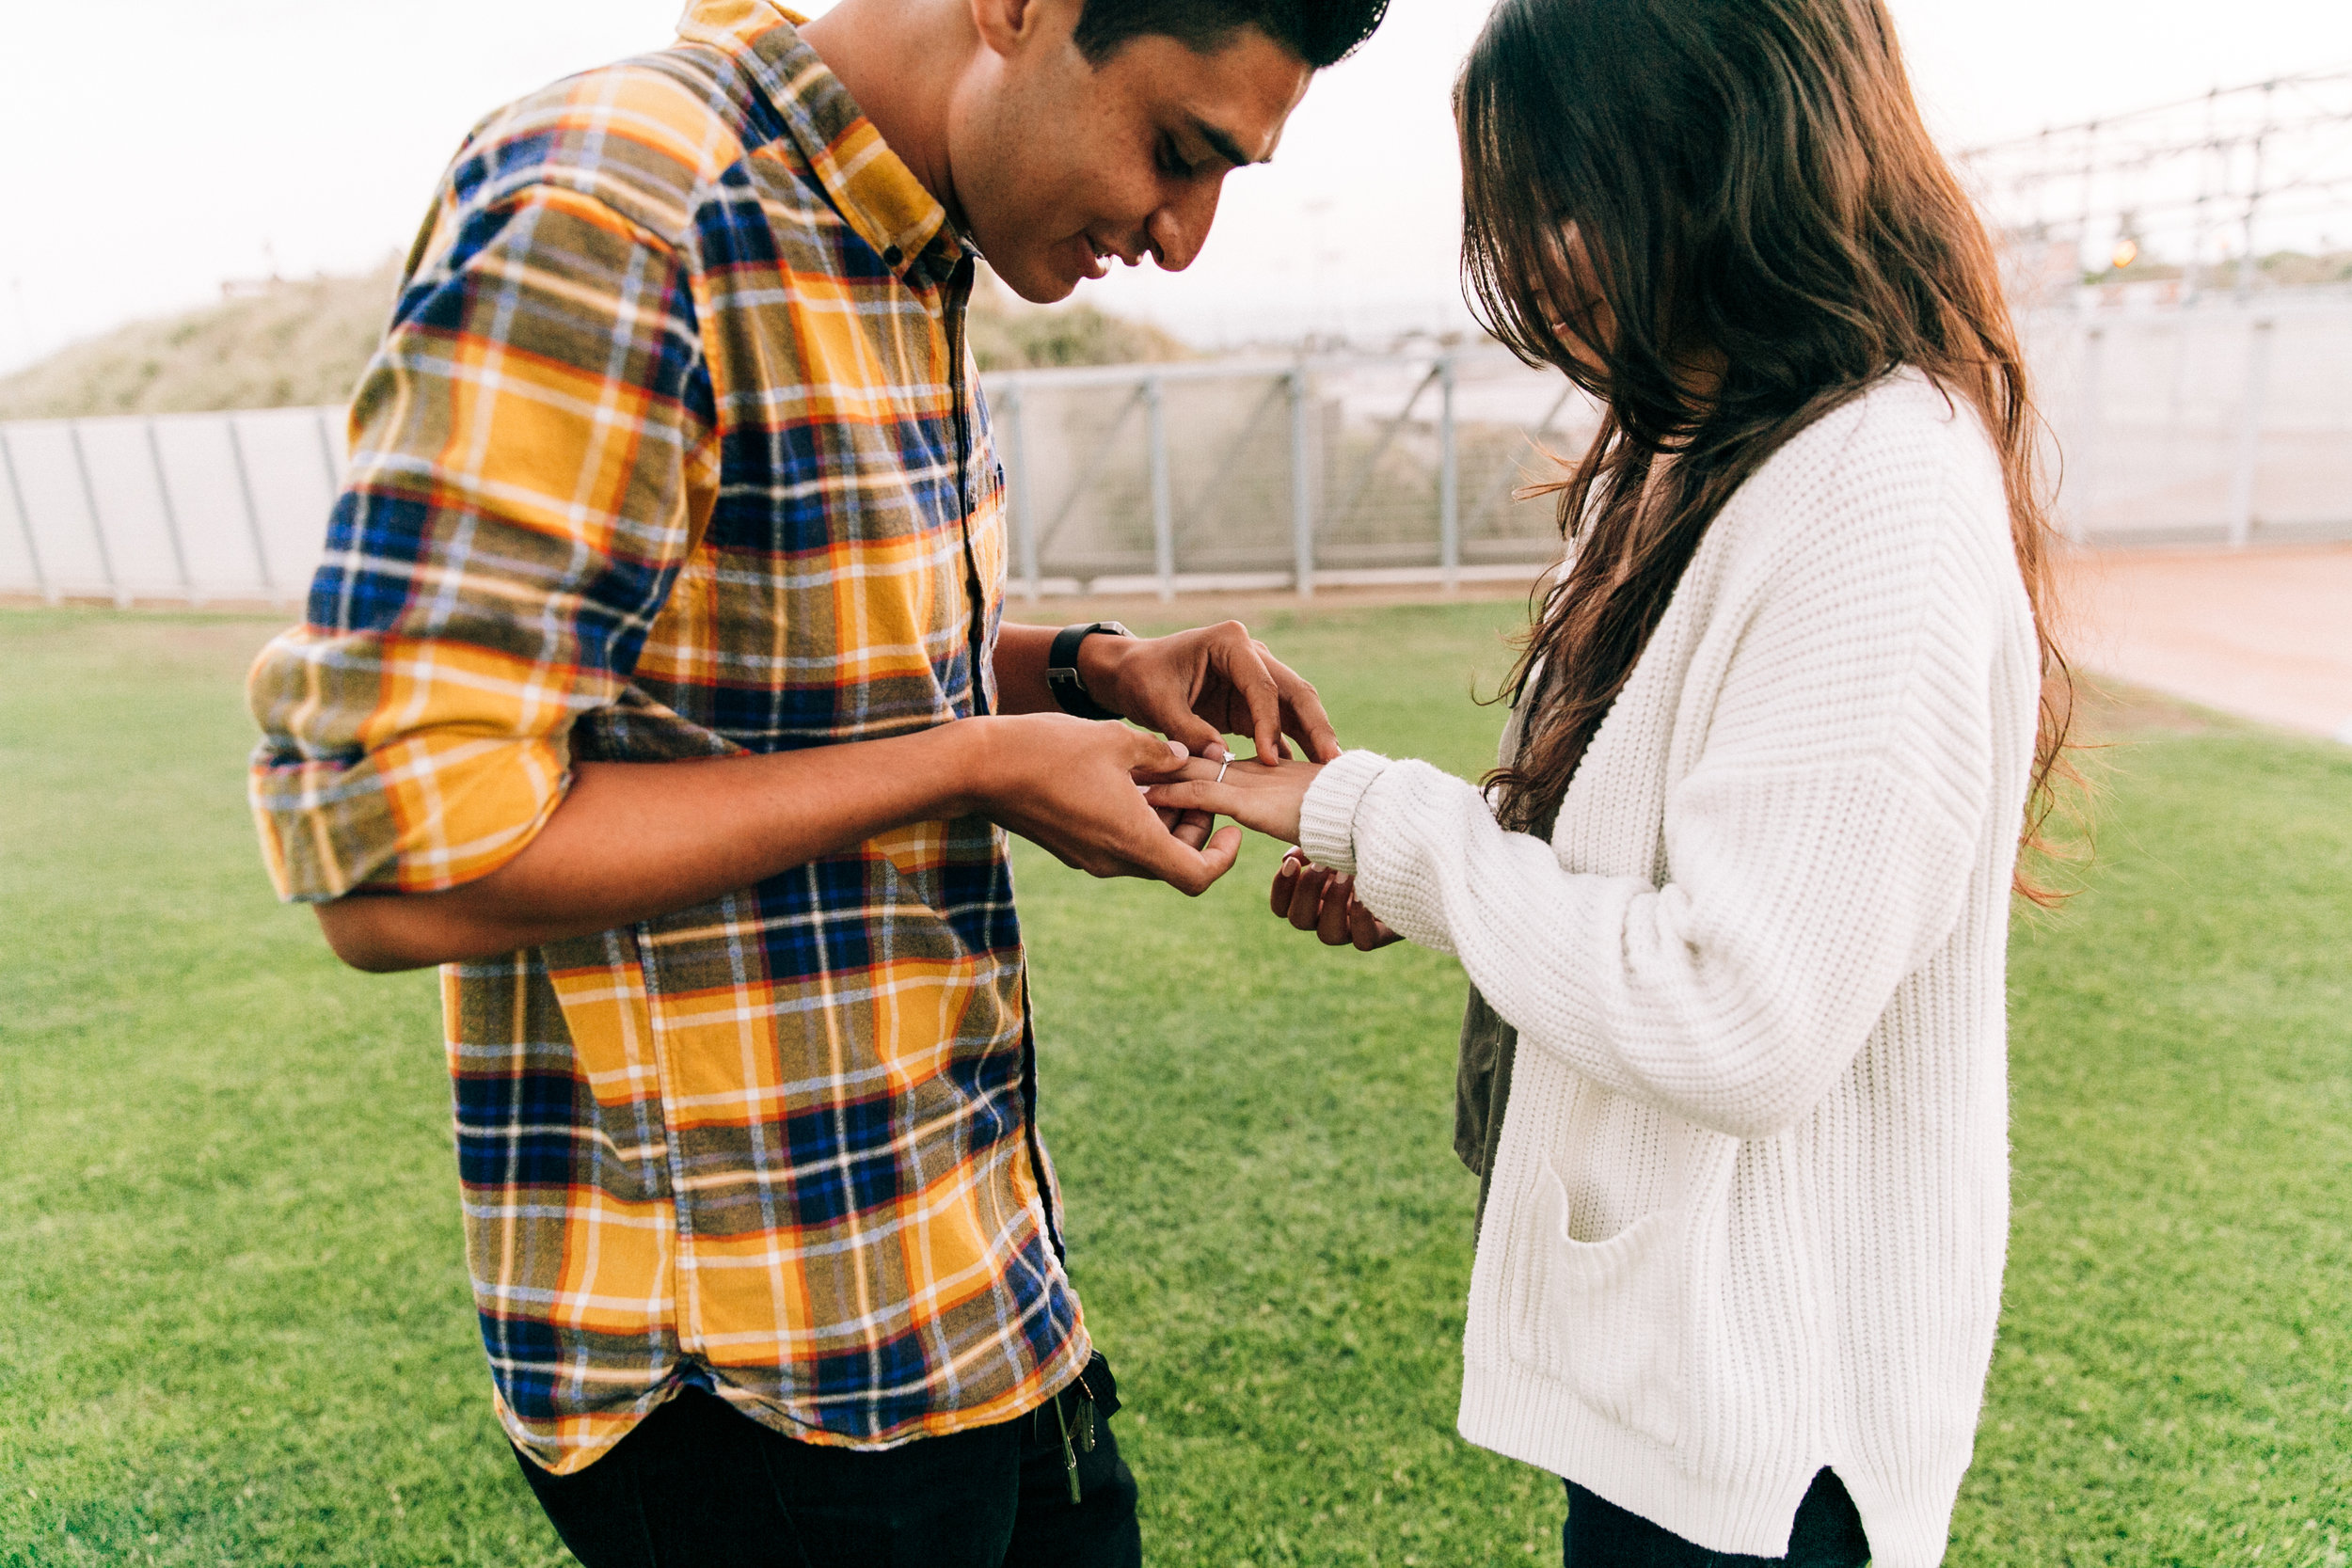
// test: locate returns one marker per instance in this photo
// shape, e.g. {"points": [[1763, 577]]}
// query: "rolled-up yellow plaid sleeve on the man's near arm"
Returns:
{"points": [[533, 462]]}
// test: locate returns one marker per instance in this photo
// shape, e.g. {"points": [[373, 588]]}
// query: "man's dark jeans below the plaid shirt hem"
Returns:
{"points": [[697, 1485]]}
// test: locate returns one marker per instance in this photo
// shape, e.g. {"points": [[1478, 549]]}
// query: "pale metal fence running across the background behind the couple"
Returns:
{"points": [[2224, 422]]}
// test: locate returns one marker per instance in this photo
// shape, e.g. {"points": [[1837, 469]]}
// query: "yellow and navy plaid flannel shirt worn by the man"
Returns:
{"points": [[674, 450]]}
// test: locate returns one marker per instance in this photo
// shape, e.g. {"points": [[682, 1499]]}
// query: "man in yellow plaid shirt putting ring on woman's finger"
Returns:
{"points": [[655, 688]]}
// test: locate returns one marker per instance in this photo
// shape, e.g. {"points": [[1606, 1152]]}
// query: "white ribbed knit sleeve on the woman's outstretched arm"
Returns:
{"points": [[1817, 843]]}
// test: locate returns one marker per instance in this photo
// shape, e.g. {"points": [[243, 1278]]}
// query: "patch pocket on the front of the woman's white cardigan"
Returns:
{"points": [[1605, 1318]]}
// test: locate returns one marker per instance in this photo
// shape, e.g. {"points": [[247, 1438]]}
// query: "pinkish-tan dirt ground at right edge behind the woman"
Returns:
{"points": [[2261, 634]]}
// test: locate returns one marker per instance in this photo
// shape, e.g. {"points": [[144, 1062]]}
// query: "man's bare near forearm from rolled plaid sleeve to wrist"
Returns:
{"points": [[636, 840]]}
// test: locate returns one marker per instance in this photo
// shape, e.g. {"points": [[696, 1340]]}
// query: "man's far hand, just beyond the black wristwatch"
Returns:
{"points": [[1203, 685]]}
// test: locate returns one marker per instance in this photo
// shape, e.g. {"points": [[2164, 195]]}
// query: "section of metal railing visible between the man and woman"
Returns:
{"points": [[1168, 478]]}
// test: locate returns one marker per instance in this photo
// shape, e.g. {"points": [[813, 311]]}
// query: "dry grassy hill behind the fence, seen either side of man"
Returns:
{"points": [[293, 344]]}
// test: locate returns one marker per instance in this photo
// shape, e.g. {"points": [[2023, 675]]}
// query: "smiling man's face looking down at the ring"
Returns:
{"points": [[1062, 166]]}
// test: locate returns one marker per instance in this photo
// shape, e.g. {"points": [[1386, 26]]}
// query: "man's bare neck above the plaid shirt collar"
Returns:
{"points": [[902, 60]]}
